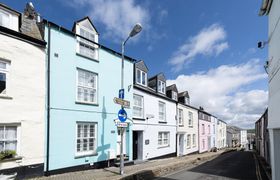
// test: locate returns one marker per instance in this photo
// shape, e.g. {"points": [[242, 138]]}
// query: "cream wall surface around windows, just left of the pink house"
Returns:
{"points": [[186, 129]]}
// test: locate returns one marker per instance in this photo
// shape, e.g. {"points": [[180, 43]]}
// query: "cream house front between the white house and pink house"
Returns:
{"points": [[187, 131]]}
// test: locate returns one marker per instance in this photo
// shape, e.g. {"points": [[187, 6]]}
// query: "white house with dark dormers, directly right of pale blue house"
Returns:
{"points": [[154, 123]]}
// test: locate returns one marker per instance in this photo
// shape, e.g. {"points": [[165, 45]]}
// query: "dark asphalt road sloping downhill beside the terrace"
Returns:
{"points": [[228, 166]]}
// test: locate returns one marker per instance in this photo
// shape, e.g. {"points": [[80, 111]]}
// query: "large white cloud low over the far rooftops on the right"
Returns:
{"points": [[219, 92]]}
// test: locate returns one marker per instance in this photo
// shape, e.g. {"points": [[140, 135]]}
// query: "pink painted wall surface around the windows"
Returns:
{"points": [[204, 137]]}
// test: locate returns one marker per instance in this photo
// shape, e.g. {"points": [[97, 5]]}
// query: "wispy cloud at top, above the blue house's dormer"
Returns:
{"points": [[118, 17]]}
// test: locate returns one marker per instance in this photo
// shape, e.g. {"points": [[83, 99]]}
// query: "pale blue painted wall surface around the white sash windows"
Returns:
{"points": [[65, 112]]}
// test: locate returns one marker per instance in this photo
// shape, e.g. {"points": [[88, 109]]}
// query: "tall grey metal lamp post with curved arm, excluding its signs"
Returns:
{"points": [[136, 29]]}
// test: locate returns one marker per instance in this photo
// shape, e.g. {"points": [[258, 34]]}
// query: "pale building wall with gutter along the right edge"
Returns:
{"points": [[271, 8]]}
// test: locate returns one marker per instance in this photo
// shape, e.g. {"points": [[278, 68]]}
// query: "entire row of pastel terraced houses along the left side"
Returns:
{"points": [[56, 98]]}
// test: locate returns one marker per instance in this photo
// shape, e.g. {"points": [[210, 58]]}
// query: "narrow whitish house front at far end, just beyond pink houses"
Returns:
{"points": [[221, 134]]}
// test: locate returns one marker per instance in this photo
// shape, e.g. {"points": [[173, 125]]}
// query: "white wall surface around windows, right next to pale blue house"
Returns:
{"points": [[152, 127]]}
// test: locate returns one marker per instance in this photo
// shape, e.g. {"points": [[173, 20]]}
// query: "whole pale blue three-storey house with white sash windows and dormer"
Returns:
{"points": [[83, 79]]}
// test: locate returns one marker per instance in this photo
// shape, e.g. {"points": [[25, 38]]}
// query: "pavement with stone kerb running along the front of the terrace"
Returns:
{"points": [[147, 170]]}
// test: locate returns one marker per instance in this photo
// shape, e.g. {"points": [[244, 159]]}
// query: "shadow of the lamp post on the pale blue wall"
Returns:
{"points": [[103, 148]]}
